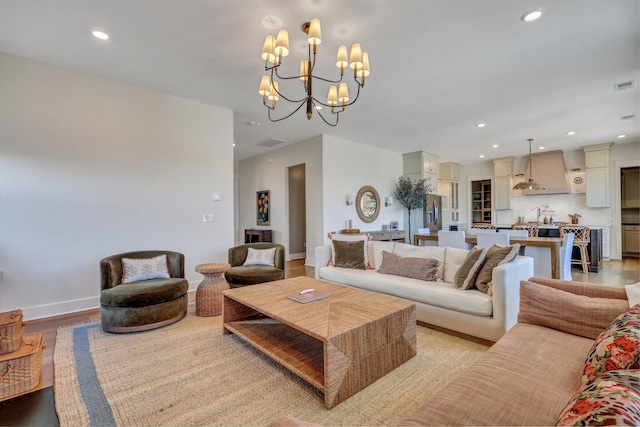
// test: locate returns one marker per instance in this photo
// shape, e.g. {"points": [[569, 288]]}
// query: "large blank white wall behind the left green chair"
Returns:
{"points": [[91, 168]]}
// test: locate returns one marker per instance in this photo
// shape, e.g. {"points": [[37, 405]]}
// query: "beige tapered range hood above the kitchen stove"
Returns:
{"points": [[548, 169]]}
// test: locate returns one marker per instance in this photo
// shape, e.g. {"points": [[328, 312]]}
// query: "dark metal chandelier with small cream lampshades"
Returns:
{"points": [[275, 49]]}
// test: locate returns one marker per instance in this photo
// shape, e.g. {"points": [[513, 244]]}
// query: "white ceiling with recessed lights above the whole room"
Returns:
{"points": [[438, 67]]}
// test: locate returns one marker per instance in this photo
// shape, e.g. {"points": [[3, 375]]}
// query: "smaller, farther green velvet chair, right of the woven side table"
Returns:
{"points": [[243, 275]]}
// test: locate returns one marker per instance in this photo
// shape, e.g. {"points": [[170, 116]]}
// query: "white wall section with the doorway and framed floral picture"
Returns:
{"points": [[269, 172]]}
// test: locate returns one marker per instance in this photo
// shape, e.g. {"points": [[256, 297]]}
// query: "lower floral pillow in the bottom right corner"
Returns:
{"points": [[612, 399]]}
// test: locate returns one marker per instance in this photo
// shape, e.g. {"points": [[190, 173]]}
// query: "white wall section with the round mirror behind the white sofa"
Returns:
{"points": [[348, 166]]}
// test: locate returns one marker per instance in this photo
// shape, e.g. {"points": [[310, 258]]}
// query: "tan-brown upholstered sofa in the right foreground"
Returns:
{"points": [[530, 374]]}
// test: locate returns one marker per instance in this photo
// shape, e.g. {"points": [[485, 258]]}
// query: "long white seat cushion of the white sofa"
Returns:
{"points": [[439, 294]]}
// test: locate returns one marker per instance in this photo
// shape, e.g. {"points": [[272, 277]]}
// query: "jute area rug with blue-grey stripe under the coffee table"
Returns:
{"points": [[190, 374]]}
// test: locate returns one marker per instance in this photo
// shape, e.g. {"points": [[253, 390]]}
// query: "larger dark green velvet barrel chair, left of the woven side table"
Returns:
{"points": [[146, 304]]}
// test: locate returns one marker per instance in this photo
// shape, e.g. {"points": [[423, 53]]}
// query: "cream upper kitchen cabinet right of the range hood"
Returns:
{"points": [[597, 175]]}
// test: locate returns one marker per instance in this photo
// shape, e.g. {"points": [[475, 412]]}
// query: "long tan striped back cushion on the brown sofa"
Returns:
{"points": [[575, 314]]}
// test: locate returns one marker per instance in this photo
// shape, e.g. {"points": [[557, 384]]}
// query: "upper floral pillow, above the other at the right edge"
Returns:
{"points": [[617, 347]]}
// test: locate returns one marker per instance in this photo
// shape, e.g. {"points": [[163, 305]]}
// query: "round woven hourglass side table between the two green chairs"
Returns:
{"points": [[209, 292]]}
